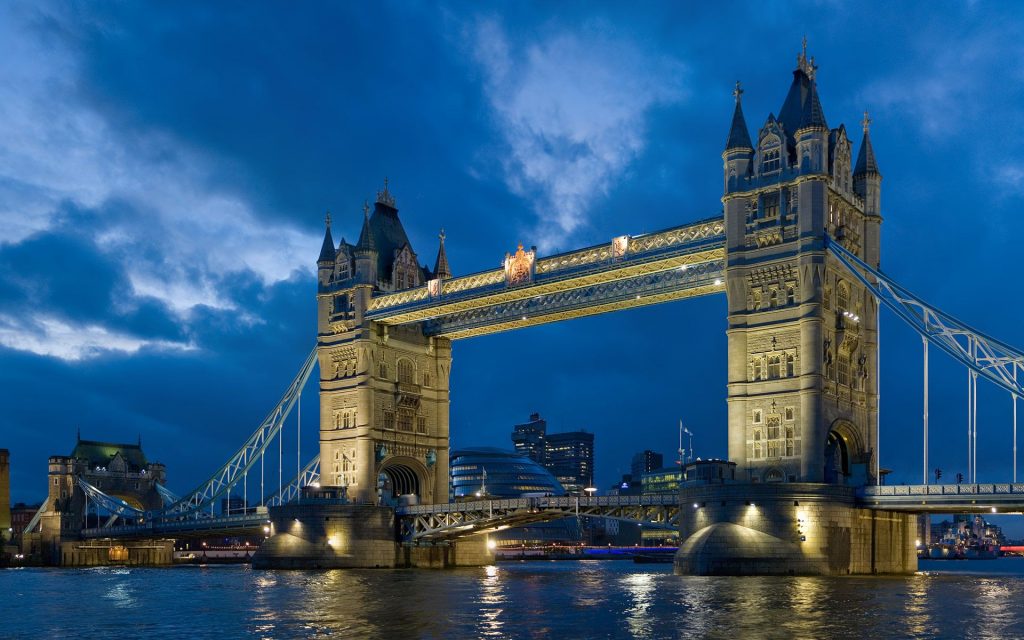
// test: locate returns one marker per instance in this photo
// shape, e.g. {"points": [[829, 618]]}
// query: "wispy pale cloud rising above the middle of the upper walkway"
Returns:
{"points": [[573, 109]]}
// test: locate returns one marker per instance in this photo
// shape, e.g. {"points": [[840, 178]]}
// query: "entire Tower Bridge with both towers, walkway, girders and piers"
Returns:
{"points": [[797, 252]]}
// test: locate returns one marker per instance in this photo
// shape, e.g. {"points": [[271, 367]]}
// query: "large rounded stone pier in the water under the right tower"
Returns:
{"points": [[791, 529]]}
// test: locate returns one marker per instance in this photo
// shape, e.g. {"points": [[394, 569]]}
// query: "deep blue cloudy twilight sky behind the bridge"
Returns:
{"points": [[165, 169]]}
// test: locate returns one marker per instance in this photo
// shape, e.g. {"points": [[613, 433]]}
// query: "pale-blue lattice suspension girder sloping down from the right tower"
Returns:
{"points": [[991, 359]]}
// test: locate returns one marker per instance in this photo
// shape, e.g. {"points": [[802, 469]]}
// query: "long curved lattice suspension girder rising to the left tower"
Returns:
{"points": [[235, 470]]}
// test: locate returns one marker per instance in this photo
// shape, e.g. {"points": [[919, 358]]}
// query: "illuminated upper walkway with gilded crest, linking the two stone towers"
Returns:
{"points": [[629, 272]]}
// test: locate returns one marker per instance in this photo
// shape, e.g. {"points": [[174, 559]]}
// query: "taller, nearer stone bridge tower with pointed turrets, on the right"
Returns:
{"points": [[802, 333]]}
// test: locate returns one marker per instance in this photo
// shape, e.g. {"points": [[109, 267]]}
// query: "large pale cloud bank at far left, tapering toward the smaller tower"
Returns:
{"points": [[140, 199]]}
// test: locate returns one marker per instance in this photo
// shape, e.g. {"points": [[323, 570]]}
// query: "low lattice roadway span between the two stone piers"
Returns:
{"points": [[450, 522]]}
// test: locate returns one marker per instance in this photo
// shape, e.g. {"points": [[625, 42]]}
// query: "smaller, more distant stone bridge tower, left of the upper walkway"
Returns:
{"points": [[385, 392]]}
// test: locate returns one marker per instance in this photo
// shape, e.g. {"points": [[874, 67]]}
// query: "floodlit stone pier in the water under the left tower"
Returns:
{"points": [[333, 536]]}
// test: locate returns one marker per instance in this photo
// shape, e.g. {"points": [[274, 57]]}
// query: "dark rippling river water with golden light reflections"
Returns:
{"points": [[537, 600]]}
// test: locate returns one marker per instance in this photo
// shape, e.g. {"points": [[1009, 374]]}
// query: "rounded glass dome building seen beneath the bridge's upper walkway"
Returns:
{"points": [[507, 476]]}
